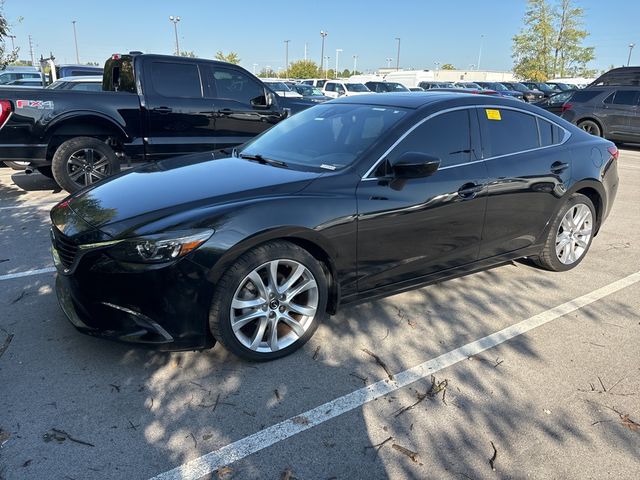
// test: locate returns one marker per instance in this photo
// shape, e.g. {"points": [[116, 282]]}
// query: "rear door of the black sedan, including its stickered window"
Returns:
{"points": [[528, 172]]}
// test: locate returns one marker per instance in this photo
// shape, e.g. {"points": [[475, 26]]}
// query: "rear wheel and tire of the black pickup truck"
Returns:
{"points": [[83, 161]]}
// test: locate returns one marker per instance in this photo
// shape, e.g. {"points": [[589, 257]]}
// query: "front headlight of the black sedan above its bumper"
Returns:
{"points": [[159, 248]]}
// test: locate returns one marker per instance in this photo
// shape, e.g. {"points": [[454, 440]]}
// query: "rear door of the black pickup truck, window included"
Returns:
{"points": [[179, 117]]}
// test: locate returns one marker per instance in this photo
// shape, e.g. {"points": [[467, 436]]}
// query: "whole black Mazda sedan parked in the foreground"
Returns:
{"points": [[350, 200]]}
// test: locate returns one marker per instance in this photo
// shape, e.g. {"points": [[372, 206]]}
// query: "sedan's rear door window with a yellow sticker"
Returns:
{"points": [[508, 131]]}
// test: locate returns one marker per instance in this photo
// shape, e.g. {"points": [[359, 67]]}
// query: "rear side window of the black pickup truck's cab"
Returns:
{"points": [[180, 80]]}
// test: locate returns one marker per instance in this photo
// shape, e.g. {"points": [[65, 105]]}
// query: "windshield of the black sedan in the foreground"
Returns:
{"points": [[328, 136]]}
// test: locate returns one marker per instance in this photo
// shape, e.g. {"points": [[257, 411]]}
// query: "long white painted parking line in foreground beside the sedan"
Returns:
{"points": [[281, 431]]}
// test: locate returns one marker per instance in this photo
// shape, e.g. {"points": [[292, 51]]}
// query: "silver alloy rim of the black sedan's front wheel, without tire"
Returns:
{"points": [[274, 305]]}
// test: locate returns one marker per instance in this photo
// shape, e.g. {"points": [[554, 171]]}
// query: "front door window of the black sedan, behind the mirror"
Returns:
{"points": [[447, 136]]}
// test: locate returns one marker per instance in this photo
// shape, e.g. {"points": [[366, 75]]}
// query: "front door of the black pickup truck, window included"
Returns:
{"points": [[238, 103]]}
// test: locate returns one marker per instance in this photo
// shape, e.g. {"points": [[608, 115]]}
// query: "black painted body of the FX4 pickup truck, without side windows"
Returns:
{"points": [[137, 121]]}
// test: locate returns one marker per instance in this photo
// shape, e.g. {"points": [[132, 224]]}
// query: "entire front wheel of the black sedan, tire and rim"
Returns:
{"points": [[252, 340]]}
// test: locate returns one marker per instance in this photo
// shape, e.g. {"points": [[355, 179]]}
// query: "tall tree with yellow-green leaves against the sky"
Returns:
{"points": [[550, 43]]}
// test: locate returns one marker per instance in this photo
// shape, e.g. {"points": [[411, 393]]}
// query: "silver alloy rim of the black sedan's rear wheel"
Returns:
{"points": [[574, 234]]}
